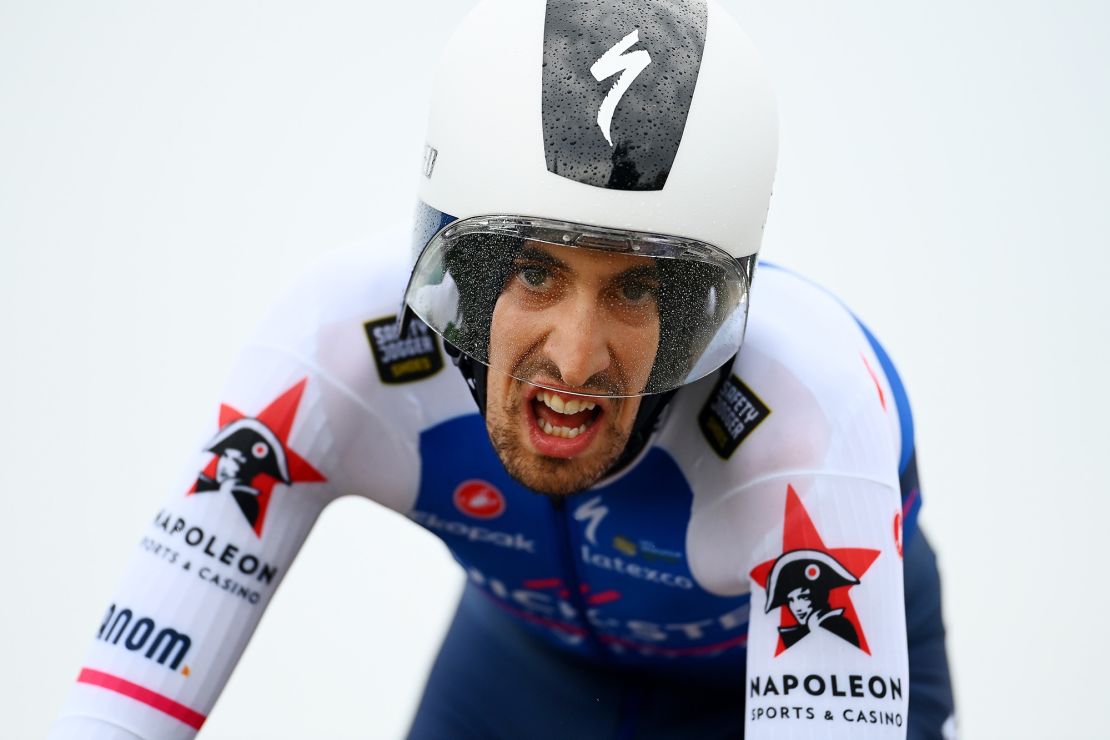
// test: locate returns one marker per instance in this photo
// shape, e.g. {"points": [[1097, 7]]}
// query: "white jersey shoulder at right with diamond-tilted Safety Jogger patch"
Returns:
{"points": [[805, 407]]}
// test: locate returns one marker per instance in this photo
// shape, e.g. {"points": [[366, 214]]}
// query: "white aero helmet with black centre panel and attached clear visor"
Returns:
{"points": [[640, 128]]}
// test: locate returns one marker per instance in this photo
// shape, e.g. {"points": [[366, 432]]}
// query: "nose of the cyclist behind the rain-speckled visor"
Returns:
{"points": [[579, 342]]}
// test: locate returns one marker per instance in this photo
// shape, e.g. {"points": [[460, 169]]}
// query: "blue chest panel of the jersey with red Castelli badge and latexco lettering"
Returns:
{"points": [[603, 572]]}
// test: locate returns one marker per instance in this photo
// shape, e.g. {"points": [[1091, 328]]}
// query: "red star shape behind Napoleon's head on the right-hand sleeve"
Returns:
{"points": [[800, 534]]}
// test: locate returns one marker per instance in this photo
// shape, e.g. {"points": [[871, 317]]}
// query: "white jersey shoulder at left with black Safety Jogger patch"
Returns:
{"points": [[372, 393]]}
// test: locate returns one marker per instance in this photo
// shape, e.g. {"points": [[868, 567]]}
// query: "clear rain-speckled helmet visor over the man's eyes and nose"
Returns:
{"points": [[598, 311]]}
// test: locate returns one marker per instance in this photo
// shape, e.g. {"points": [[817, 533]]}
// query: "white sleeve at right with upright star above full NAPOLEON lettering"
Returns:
{"points": [[828, 654]]}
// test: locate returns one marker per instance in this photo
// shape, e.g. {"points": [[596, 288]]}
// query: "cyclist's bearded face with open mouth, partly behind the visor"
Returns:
{"points": [[582, 322]]}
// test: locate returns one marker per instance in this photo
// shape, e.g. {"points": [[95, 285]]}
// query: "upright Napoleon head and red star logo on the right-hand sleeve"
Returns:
{"points": [[810, 583]]}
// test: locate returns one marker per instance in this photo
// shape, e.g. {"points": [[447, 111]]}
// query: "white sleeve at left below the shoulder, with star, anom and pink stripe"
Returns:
{"points": [[209, 561]]}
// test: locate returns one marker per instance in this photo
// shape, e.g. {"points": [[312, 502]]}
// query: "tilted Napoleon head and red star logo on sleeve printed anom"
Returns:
{"points": [[251, 457]]}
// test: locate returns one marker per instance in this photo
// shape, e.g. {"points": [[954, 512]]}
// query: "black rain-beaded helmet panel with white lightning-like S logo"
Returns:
{"points": [[618, 84]]}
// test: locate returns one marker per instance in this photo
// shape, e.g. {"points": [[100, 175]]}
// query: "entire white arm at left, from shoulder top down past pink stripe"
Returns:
{"points": [[301, 422]]}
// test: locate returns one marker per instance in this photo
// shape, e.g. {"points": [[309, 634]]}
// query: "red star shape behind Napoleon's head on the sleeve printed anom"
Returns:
{"points": [[278, 420]]}
